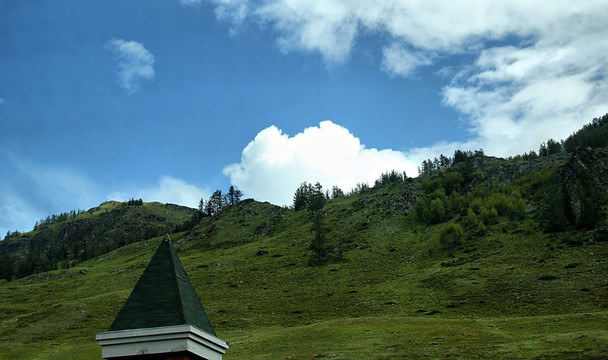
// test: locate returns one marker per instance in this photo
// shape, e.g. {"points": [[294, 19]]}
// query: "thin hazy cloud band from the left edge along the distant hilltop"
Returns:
{"points": [[30, 191]]}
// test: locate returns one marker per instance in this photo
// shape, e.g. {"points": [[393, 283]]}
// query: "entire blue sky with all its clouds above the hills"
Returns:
{"points": [[170, 100]]}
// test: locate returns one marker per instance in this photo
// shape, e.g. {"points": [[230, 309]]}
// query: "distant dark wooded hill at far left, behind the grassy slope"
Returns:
{"points": [[89, 234]]}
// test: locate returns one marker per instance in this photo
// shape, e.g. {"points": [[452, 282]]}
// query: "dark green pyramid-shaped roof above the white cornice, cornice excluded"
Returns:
{"points": [[163, 296]]}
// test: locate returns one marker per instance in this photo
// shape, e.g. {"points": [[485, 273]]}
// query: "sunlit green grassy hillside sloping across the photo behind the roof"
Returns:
{"points": [[391, 286]]}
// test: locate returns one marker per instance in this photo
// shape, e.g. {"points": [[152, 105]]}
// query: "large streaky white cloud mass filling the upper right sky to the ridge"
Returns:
{"points": [[538, 67]]}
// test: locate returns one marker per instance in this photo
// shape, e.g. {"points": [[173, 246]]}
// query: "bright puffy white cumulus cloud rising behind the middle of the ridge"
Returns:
{"points": [[273, 165]]}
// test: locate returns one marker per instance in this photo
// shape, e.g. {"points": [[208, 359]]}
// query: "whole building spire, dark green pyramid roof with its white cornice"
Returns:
{"points": [[163, 304]]}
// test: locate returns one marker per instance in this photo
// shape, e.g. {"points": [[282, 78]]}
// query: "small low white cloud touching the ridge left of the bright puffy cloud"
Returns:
{"points": [[167, 190]]}
